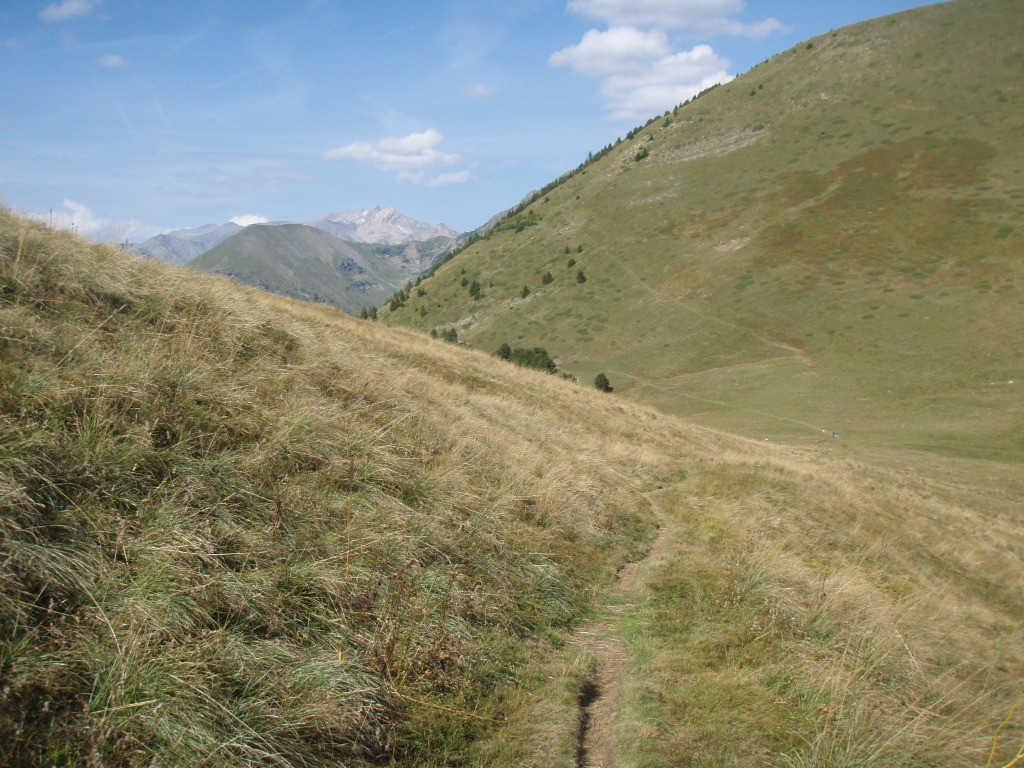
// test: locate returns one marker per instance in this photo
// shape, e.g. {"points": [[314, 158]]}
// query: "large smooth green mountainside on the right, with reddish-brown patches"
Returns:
{"points": [[831, 242]]}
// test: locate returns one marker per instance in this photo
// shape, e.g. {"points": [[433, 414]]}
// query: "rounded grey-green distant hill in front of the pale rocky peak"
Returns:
{"points": [[305, 263]]}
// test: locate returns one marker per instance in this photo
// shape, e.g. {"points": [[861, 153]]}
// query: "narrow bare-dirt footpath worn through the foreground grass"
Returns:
{"points": [[600, 695]]}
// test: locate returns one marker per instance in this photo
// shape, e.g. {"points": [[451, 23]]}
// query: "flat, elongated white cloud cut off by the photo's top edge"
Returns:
{"points": [[712, 17]]}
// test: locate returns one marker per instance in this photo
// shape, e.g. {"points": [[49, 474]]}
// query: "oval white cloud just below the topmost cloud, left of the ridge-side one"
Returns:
{"points": [[616, 51]]}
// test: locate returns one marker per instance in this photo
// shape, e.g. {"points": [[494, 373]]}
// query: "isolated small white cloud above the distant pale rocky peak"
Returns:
{"points": [[414, 157]]}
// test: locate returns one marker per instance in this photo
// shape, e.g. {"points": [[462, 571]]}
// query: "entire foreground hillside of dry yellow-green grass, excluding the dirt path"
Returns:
{"points": [[244, 531]]}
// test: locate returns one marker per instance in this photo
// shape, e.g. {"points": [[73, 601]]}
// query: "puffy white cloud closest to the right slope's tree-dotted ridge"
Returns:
{"points": [[668, 82]]}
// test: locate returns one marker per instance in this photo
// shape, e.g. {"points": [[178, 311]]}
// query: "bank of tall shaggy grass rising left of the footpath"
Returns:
{"points": [[241, 531]]}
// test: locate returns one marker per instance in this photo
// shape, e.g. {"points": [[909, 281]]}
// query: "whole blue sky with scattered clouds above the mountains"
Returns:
{"points": [[127, 118]]}
